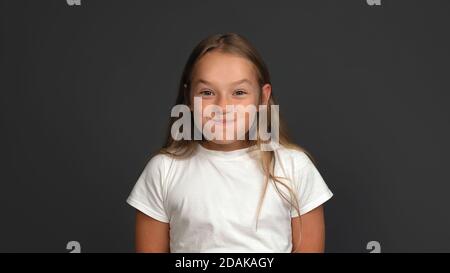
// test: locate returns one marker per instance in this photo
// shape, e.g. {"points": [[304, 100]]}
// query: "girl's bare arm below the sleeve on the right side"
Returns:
{"points": [[312, 231]]}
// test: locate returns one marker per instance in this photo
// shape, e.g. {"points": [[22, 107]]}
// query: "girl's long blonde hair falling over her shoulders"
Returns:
{"points": [[238, 45]]}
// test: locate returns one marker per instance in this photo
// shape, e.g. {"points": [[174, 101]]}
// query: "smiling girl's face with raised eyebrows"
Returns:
{"points": [[226, 79]]}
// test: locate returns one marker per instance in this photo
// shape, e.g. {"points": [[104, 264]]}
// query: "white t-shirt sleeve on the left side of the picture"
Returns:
{"points": [[148, 192]]}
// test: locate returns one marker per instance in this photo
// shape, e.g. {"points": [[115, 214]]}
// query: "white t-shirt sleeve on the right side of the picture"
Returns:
{"points": [[311, 189]]}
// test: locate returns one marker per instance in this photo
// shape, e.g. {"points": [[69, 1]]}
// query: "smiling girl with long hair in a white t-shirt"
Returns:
{"points": [[229, 195]]}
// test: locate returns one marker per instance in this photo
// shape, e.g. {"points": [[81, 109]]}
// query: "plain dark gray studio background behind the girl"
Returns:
{"points": [[86, 93]]}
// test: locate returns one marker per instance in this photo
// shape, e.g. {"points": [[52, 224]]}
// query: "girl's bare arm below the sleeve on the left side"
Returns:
{"points": [[151, 235]]}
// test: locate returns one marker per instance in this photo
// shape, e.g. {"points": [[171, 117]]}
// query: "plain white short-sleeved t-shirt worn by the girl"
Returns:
{"points": [[210, 200]]}
